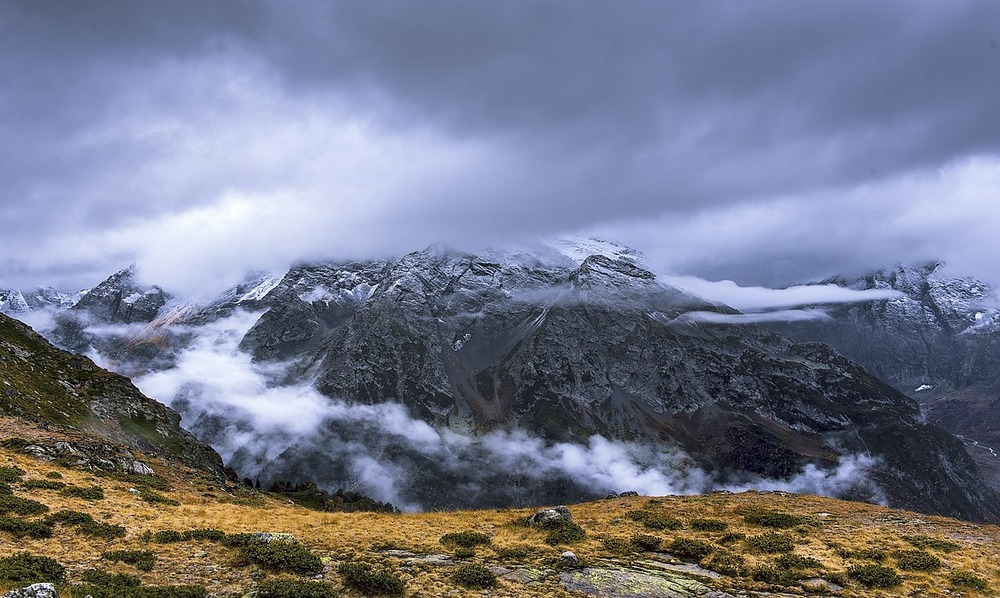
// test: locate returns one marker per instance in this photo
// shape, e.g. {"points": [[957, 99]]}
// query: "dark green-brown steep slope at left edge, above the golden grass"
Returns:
{"points": [[43, 384]]}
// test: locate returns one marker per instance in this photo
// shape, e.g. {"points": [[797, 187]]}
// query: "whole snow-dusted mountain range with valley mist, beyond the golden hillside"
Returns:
{"points": [[443, 379]]}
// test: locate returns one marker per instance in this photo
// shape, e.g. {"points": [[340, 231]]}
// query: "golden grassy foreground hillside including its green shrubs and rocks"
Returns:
{"points": [[819, 544]]}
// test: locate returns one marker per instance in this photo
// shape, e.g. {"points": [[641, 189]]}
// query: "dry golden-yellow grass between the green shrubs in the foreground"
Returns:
{"points": [[339, 537]]}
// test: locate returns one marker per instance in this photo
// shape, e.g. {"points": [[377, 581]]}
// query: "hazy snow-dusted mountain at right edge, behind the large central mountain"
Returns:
{"points": [[939, 343]]}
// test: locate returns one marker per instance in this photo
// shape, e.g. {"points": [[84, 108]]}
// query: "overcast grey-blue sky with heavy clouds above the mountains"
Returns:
{"points": [[766, 142]]}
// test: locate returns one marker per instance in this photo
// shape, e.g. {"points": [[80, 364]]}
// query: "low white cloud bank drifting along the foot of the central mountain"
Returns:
{"points": [[272, 431]]}
